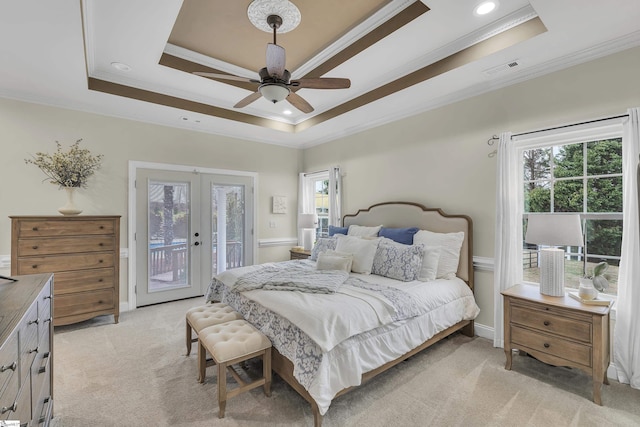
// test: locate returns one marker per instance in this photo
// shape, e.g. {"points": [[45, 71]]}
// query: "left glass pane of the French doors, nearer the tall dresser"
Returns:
{"points": [[169, 211]]}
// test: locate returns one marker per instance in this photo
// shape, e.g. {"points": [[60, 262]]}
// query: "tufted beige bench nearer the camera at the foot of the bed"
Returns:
{"points": [[230, 343]]}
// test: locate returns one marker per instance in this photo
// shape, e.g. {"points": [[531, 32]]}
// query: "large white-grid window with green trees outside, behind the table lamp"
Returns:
{"points": [[580, 177]]}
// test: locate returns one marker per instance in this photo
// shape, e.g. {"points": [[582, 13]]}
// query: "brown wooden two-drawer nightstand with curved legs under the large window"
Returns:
{"points": [[559, 331]]}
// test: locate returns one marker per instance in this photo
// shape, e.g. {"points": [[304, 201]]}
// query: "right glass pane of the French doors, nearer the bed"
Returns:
{"points": [[228, 226]]}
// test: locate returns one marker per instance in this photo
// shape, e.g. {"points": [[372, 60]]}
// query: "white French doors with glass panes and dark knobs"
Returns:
{"points": [[189, 226]]}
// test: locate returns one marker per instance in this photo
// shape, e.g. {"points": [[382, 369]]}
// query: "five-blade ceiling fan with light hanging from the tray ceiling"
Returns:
{"points": [[275, 81]]}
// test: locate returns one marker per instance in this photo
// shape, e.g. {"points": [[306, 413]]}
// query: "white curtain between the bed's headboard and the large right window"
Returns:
{"points": [[508, 244]]}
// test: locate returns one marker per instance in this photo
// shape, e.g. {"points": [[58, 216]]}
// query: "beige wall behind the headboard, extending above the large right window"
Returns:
{"points": [[439, 158]]}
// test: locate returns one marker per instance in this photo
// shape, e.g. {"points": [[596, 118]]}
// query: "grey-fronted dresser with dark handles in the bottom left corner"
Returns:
{"points": [[26, 350]]}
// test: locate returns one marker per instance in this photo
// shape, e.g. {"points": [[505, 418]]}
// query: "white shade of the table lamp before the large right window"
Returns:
{"points": [[554, 230]]}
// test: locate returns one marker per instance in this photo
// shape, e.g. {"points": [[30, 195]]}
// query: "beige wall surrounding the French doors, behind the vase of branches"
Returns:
{"points": [[28, 128]]}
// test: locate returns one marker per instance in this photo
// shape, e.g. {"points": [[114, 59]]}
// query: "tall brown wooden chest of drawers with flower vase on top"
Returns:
{"points": [[83, 252]]}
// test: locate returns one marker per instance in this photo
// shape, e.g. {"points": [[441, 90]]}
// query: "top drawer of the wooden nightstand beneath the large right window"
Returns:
{"points": [[547, 321]]}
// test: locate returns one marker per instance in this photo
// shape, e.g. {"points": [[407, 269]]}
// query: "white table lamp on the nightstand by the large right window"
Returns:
{"points": [[553, 230]]}
